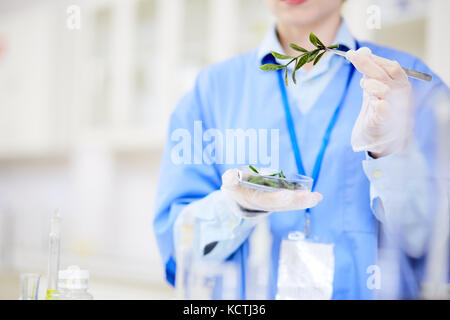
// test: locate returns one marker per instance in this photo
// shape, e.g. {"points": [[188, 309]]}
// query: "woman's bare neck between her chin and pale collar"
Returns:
{"points": [[325, 29]]}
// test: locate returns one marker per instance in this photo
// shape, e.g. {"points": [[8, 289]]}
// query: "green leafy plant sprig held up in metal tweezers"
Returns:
{"points": [[300, 60]]}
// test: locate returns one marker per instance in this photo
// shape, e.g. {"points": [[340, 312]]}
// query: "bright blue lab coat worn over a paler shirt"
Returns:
{"points": [[237, 94]]}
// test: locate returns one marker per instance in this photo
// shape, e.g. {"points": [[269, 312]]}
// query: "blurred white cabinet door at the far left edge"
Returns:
{"points": [[27, 111]]}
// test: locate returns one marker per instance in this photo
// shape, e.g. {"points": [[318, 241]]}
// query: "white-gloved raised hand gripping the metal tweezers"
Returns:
{"points": [[385, 120]]}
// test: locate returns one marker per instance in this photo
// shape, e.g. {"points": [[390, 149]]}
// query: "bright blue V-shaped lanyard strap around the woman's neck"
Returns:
{"points": [[325, 140]]}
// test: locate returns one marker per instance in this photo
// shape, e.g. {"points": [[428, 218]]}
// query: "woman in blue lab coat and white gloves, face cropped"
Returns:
{"points": [[350, 123]]}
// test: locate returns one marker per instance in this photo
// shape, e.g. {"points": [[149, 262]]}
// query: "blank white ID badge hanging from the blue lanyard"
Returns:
{"points": [[305, 269]]}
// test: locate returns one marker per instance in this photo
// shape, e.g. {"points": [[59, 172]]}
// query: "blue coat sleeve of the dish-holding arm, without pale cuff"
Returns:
{"points": [[182, 177]]}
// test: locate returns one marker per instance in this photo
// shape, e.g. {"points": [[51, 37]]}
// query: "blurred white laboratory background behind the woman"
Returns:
{"points": [[83, 116]]}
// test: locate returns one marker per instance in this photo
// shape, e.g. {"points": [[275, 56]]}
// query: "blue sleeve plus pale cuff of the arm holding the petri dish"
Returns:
{"points": [[185, 179]]}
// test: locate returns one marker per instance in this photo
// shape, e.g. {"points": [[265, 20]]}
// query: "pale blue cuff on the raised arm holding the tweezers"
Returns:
{"points": [[400, 194]]}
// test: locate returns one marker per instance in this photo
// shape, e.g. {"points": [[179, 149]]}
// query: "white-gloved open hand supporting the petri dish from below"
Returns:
{"points": [[268, 201]]}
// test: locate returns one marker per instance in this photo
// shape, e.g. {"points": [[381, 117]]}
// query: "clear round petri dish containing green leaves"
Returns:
{"points": [[267, 182]]}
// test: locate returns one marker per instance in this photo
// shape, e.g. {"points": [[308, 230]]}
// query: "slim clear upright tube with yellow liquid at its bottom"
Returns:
{"points": [[53, 254]]}
